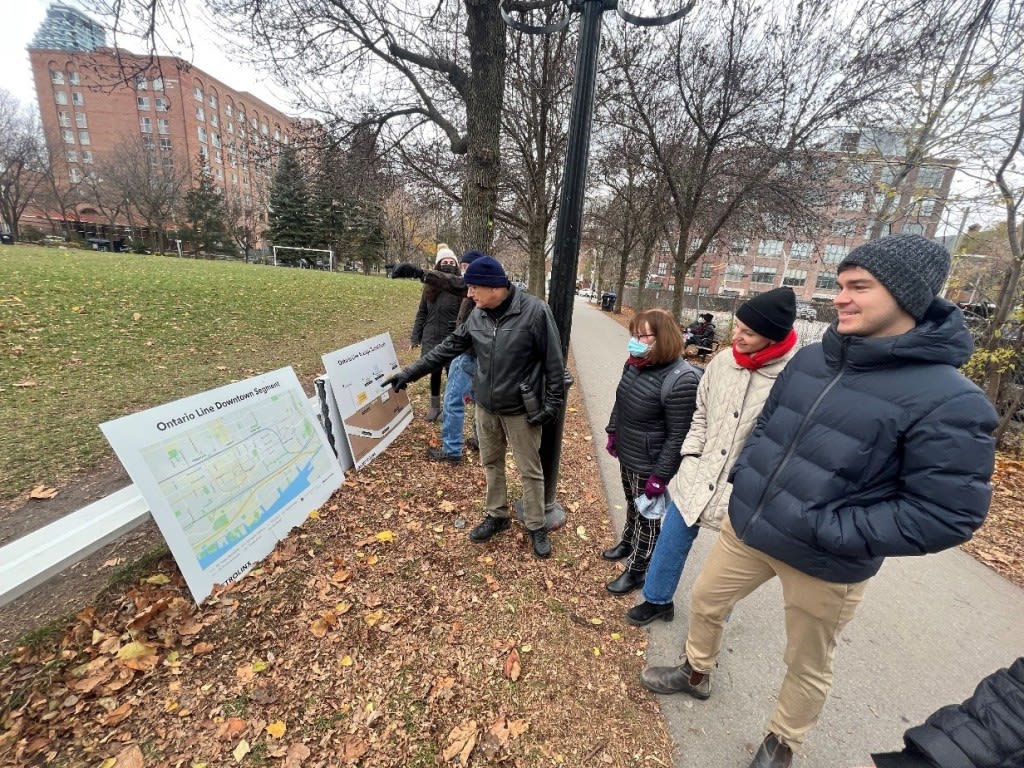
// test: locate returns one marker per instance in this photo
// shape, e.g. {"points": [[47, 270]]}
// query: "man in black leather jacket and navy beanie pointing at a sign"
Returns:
{"points": [[520, 387]]}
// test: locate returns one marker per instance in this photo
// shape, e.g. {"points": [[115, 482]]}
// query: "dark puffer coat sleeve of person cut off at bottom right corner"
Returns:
{"points": [[985, 732]]}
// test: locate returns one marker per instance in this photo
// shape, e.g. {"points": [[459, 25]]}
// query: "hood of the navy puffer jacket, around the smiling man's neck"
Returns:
{"points": [[942, 337]]}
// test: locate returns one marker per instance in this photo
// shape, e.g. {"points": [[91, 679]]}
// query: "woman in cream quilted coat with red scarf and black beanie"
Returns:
{"points": [[731, 397]]}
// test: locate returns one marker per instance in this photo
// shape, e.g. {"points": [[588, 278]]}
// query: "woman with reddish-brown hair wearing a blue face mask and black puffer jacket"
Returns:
{"points": [[646, 432]]}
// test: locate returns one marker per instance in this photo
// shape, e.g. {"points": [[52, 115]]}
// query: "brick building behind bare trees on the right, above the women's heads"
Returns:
{"points": [[854, 178]]}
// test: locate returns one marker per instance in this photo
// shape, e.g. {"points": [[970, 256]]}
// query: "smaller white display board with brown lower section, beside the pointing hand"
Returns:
{"points": [[372, 416]]}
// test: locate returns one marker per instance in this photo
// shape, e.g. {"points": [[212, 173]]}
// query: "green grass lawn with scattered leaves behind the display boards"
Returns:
{"points": [[90, 336]]}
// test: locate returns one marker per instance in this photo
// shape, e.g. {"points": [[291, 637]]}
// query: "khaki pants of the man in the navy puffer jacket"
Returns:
{"points": [[816, 613]]}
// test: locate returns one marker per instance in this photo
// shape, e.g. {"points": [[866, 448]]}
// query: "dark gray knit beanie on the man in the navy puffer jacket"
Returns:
{"points": [[912, 268]]}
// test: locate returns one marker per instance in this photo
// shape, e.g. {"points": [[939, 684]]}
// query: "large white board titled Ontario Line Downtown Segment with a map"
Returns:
{"points": [[228, 474]]}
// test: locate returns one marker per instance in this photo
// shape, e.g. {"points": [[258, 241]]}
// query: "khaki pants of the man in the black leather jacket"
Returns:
{"points": [[496, 434]]}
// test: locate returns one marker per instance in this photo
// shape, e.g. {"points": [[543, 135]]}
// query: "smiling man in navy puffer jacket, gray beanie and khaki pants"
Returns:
{"points": [[871, 444]]}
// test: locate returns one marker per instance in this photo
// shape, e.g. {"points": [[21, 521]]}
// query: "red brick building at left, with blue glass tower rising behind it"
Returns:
{"points": [[95, 101]]}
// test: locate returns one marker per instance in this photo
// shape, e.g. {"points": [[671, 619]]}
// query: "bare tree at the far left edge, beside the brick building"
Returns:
{"points": [[22, 161]]}
